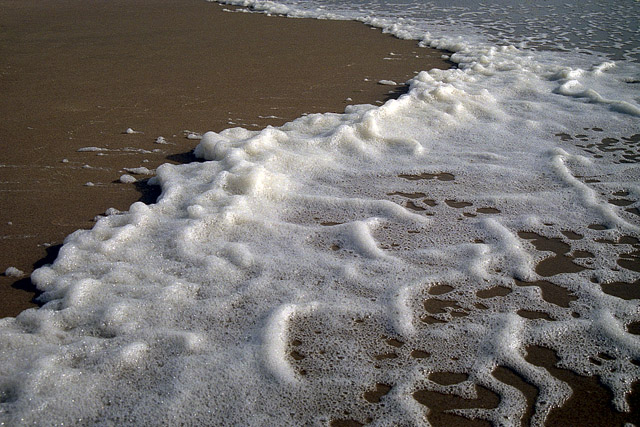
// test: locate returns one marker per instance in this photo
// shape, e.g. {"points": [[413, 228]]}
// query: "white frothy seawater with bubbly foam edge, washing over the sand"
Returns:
{"points": [[467, 251]]}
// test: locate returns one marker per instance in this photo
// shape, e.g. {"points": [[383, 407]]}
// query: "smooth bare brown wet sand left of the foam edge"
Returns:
{"points": [[78, 73]]}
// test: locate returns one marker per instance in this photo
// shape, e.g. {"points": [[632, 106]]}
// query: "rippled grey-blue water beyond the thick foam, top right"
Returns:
{"points": [[609, 27]]}
